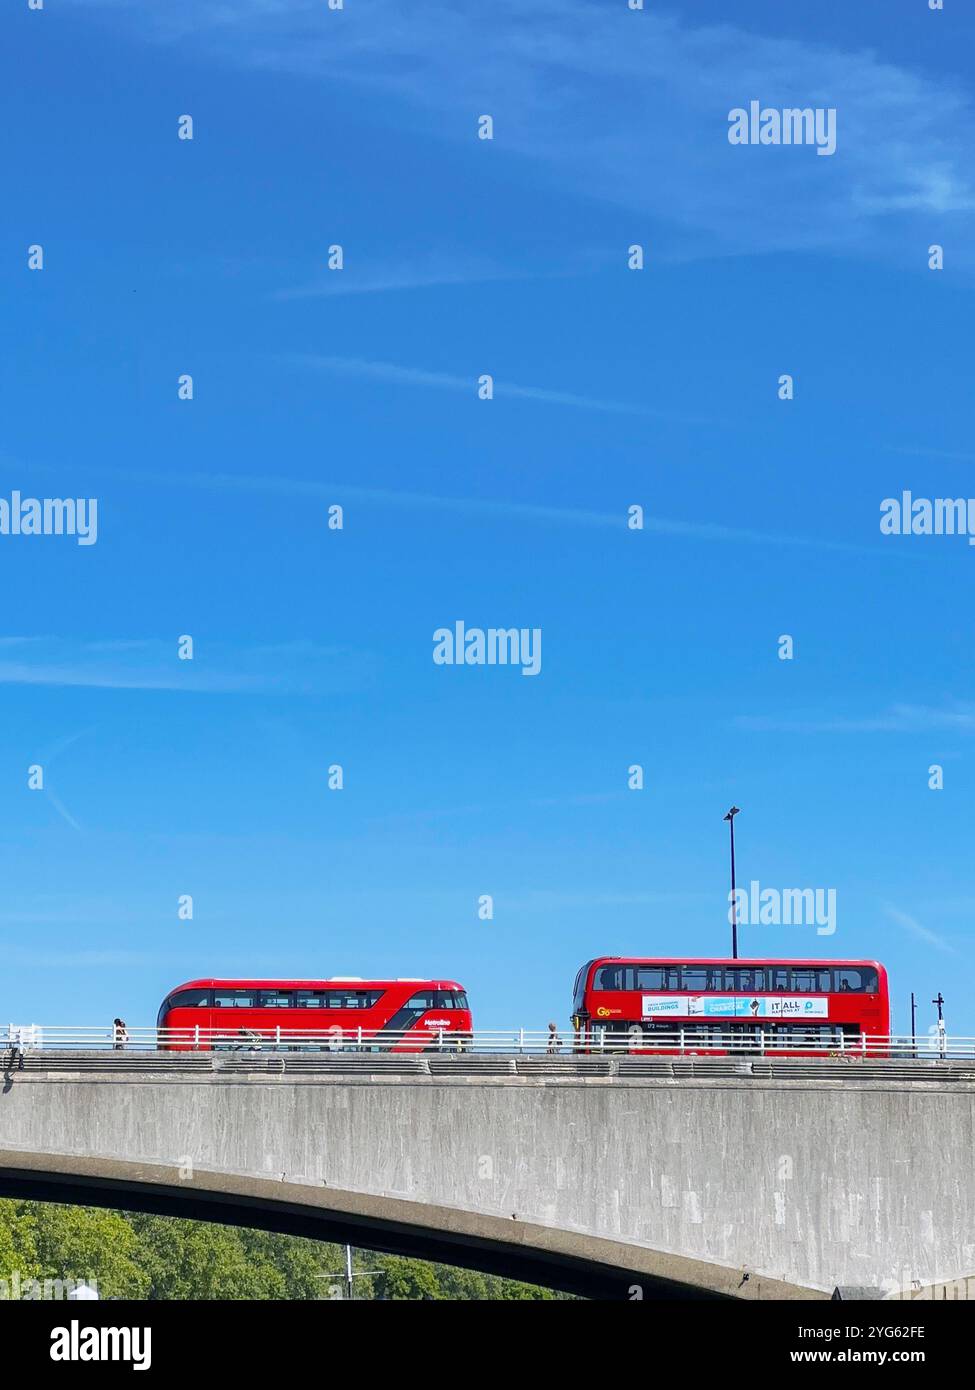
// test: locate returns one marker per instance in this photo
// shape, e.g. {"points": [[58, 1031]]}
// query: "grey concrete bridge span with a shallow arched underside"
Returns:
{"points": [[628, 1177]]}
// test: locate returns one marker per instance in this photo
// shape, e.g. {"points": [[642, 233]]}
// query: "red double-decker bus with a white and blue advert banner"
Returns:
{"points": [[793, 1008]]}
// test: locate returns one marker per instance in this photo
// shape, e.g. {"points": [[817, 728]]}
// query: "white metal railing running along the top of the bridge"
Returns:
{"points": [[23, 1039]]}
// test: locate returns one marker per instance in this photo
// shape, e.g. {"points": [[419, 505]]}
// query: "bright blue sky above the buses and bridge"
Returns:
{"points": [[614, 387]]}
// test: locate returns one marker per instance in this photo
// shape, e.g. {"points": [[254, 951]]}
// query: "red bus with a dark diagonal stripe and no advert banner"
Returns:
{"points": [[298, 1015]]}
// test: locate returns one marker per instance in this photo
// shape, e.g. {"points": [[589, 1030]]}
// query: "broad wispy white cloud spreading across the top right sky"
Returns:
{"points": [[632, 108]]}
